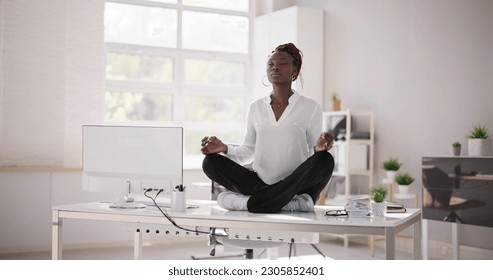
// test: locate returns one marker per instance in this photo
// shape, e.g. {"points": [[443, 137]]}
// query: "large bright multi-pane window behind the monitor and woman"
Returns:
{"points": [[179, 62]]}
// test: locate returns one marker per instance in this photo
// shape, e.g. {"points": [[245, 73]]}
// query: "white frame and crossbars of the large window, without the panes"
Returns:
{"points": [[178, 89]]}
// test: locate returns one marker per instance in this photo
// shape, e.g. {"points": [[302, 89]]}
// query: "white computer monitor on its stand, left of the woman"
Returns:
{"points": [[127, 160]]}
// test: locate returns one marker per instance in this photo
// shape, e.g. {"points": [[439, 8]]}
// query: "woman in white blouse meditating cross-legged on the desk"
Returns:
{"points": [[291, 163]]}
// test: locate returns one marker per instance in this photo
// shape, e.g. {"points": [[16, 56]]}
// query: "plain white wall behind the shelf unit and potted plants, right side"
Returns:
{"points": [[425, 68]]}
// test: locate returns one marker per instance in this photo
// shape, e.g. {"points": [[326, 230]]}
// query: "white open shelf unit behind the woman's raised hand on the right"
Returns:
{"points": [[353, 151]]}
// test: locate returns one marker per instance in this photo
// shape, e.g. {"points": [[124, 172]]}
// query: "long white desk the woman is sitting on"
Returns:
{"points": [[210, 215]]}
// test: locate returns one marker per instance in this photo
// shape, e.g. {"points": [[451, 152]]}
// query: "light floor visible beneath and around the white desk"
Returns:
{"points": [[330, 246]]}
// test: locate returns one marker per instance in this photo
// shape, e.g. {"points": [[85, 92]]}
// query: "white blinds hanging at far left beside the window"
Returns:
{"points": [[52, 79]]}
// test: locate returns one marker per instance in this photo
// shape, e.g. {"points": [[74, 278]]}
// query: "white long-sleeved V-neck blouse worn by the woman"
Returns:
{"points": [[277, 148]]}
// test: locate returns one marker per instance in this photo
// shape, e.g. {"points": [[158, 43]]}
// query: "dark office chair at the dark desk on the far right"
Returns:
{"points": [[438, 195]]}
